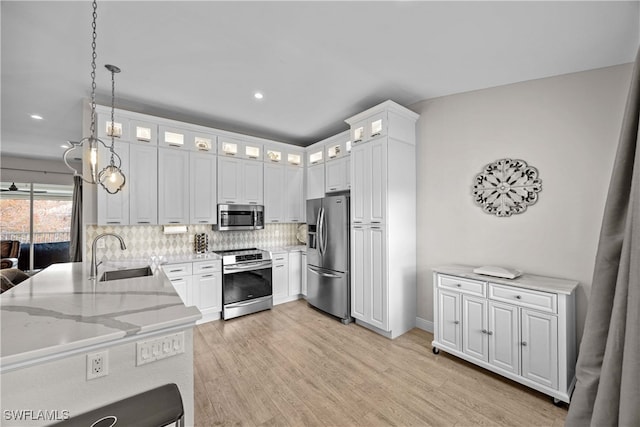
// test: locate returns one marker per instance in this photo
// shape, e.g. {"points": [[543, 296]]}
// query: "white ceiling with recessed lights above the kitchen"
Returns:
{"points": [[317, 63]]}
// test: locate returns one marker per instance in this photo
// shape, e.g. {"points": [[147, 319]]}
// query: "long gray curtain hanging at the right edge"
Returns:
{"points": [[607, 390]]}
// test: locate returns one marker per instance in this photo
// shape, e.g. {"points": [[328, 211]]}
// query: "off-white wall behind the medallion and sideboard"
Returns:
{"points": [[567, 127]]}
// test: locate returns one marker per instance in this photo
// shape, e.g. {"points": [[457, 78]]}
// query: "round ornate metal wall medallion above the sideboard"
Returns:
{"points": [[506, 187]]}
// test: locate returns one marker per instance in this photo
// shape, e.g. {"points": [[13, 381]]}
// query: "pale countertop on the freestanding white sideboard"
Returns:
{"points": [[528, 281]]}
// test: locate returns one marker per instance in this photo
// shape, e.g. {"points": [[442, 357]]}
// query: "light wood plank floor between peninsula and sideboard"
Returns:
{"points": [[295, 366]]}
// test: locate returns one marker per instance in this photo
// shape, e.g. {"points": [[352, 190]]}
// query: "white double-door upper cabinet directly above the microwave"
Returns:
{"points": [[240, 181]]}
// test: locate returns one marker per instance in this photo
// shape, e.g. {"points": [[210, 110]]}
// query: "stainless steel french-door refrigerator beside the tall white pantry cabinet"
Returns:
{"points": [[328, 254]]}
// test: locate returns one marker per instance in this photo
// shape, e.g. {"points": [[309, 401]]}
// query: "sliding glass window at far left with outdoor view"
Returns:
{"points": [[42, 226]]}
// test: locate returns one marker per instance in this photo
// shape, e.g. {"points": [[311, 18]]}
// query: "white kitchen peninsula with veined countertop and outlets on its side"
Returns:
{"points": [[54, 324]]}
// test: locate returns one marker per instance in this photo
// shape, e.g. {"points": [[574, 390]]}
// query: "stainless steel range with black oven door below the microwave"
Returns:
{"points": [[246, 282]]}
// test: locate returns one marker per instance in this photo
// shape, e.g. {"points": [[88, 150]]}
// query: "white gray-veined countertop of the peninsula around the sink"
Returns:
{"points": [[60, 310]]}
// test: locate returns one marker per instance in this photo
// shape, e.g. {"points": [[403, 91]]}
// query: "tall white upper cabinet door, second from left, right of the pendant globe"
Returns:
{"points": [[143, 184]]}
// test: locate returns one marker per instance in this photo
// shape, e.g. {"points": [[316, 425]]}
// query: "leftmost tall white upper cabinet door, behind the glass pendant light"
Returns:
{"points": [[113, 209]]}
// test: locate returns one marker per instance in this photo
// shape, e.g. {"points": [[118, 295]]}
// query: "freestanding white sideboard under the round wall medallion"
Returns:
{"points": [[523, 329]]}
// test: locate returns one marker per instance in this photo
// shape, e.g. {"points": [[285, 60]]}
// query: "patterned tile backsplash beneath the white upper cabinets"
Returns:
{"points": [[144, 241]]}
